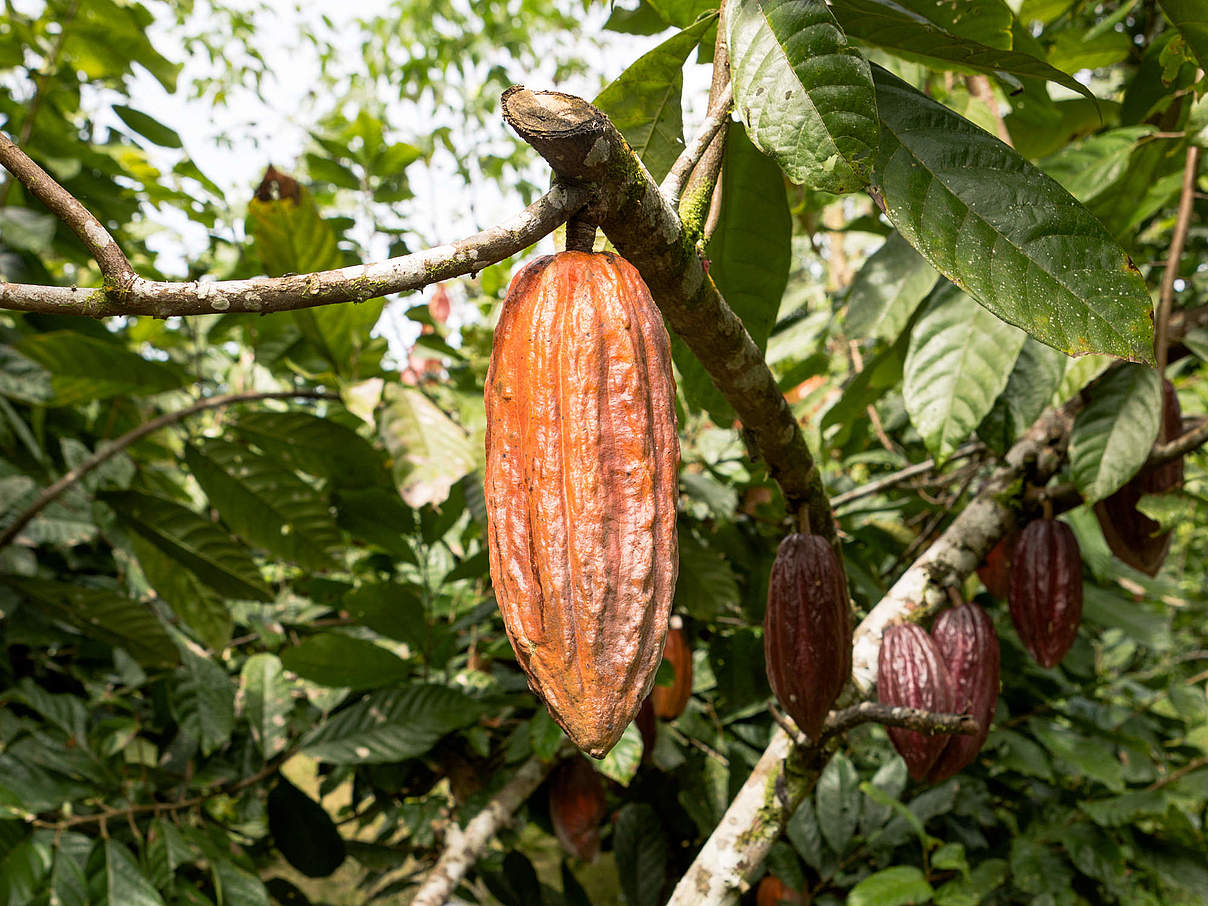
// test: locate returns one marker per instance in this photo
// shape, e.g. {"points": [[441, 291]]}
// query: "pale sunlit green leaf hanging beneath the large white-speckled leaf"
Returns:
{"points": [[959, 363]]}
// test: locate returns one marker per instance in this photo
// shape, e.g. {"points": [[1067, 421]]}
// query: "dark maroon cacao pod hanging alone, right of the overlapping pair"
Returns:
{"points": [[1047, 590]]}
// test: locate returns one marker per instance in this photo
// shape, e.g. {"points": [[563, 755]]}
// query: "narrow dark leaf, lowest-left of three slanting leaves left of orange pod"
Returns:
{"points": [[194, 543]]}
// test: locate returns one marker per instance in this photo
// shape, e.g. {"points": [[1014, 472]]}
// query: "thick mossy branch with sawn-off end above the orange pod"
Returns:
{"points": [[584, 149]]}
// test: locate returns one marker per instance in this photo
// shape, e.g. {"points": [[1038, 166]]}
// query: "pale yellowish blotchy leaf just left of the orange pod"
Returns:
{"points": [[431, 451]]}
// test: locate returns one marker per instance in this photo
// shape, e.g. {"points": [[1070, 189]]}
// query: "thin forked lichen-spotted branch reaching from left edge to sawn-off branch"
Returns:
{"points": [[126, 293]]}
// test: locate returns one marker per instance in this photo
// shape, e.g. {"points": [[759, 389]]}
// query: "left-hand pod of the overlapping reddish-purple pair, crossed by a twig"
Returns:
{"points": [[911, 673]]}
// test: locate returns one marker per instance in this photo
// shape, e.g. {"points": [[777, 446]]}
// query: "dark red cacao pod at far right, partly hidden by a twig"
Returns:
{"points": [[1135, 538]]}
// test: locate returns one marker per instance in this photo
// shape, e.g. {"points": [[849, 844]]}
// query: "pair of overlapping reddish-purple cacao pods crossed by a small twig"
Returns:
{"points": [[953, 671]]}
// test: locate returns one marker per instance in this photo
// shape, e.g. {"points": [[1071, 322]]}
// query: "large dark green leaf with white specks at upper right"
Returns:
{"points": [[1006, 233]]}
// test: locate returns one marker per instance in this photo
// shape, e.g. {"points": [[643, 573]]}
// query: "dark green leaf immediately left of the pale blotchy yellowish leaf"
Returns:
{"points": [[320, 446]]}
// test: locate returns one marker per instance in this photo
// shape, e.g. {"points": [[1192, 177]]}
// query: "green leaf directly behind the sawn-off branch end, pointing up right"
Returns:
{"points": [[644, 101]]}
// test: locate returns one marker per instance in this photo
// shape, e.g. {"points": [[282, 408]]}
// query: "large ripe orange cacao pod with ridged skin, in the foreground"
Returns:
{"points": [[582, 487]]}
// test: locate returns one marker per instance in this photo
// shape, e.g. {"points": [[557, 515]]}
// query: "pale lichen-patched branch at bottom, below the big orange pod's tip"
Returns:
{"points": [[463, 847]]}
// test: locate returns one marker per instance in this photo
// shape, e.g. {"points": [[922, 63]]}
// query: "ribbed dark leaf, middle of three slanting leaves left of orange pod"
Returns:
{"points": [[265, 503]]}
